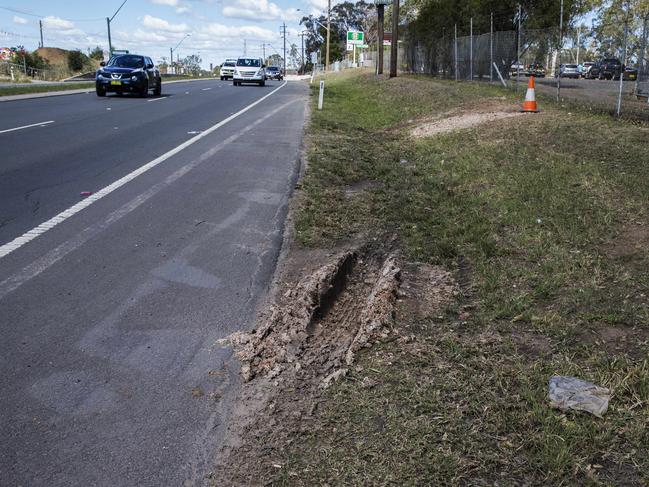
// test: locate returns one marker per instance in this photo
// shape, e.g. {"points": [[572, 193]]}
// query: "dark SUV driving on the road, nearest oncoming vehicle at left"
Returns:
{"points": [[128, 73]]}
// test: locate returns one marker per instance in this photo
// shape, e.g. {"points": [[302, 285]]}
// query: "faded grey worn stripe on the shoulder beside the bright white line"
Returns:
{"points": [[53, 256]]}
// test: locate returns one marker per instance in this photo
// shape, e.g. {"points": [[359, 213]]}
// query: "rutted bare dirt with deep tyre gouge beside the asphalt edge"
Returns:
{"points": [[313, 334]]}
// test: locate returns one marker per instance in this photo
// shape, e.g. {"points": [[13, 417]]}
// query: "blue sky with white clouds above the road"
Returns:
{"points": [[217, 28]]}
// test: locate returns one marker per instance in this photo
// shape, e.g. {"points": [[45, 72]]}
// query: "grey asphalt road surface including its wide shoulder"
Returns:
{"points": [[110, 370]]}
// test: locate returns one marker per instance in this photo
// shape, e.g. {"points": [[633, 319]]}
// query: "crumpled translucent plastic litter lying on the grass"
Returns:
{"points": [[579, 395]]}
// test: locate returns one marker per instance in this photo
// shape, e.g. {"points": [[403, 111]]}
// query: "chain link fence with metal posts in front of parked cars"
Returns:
{"points": [[560, 61]]}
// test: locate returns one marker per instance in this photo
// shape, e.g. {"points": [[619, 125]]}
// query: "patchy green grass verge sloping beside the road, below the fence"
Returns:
{"points": [[544, 221]]}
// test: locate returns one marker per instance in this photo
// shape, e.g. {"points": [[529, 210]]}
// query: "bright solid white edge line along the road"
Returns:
{"points": [[18, 242]]}
